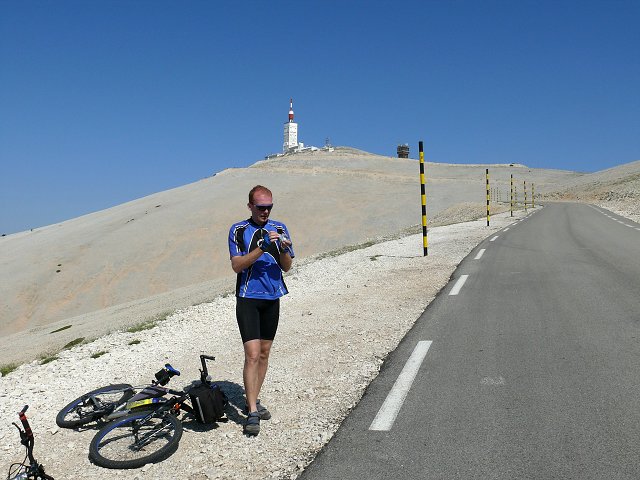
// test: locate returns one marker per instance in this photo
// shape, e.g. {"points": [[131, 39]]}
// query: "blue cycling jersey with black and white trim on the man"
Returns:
{"points": [[263, 279]]}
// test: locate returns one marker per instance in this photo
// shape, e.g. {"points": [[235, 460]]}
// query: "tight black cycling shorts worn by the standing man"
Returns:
{"points": [[257, 319]]}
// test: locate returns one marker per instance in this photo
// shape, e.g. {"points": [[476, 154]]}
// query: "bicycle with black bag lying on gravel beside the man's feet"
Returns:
{"points": [[152, 431]]}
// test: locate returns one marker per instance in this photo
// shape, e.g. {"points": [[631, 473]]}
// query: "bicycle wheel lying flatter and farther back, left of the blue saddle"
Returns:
{"points": [[93, 405]]}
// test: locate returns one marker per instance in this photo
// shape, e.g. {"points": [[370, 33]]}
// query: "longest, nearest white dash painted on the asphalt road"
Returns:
{"points": [[392, 404]]}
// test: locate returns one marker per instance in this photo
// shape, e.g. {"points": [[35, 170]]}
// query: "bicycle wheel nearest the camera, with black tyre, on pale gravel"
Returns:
{"points": [[132, 441]]}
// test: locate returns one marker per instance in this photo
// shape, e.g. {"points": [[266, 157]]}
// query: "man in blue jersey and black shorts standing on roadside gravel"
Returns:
{"points": [[260, 251]]}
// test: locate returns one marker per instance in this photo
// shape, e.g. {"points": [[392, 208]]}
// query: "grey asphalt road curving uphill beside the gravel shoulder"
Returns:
{"points": [[534, 367]]}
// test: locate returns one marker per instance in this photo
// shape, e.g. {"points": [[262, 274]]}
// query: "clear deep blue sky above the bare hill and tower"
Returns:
{"points": [[102, 102]]}
